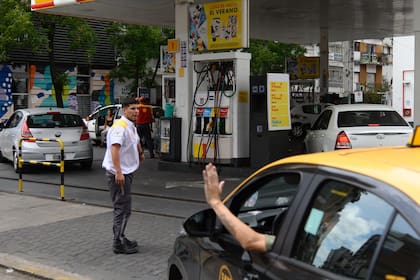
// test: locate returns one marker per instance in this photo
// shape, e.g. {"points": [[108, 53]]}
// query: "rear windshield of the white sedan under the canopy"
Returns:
{"points": [[370, 118]]}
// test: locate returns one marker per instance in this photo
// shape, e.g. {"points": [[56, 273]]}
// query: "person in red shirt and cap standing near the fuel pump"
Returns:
{"points": [[144, 123]]}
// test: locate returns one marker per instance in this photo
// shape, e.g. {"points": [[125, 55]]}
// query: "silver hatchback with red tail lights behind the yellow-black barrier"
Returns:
{"points": [[51, 123]]}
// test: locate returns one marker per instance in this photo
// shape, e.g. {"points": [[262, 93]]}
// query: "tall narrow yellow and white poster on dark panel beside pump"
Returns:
{"points": [[278, 105]]}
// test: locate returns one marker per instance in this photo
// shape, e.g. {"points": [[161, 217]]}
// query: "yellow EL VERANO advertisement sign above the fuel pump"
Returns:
{"points": [[218, 26]]}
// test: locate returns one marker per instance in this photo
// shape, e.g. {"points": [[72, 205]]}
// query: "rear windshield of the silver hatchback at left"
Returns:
{"points": [[54, 120]]}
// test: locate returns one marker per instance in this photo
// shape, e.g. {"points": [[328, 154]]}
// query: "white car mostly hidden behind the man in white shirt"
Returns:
{"points": [[96, 120]]}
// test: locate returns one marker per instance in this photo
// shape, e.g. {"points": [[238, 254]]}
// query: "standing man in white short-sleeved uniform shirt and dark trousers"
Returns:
{"points": [[122, 157]]}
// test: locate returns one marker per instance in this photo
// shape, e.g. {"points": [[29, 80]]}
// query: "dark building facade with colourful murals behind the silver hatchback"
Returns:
{"points": [[25, 80]]}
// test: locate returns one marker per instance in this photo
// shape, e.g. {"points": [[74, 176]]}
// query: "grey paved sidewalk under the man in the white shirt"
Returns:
{"points": [[64, 240]]}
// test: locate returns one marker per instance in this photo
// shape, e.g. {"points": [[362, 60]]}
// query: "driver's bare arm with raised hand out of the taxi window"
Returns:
{"points": [[246, 236]]}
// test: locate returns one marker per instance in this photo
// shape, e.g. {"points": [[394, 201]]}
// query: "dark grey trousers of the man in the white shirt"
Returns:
{"points": [[121, 201]]}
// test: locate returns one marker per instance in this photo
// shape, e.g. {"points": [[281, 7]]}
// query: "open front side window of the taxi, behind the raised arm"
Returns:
{"points": [[270, 197]]}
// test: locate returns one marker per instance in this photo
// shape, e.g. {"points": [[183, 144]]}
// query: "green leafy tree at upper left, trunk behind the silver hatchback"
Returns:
{"points": [[21, 28]]}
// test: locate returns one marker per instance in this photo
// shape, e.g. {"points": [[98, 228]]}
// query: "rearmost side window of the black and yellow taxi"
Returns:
{"points": [[400, 254]]}
